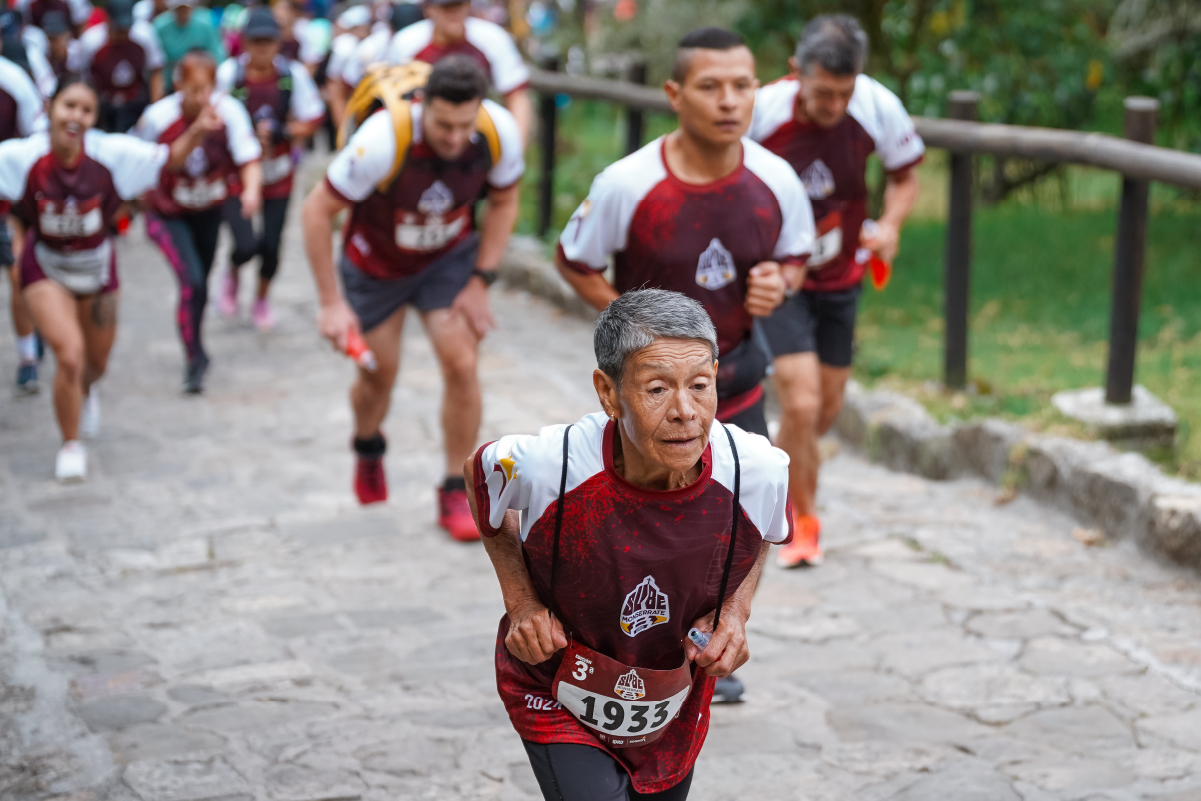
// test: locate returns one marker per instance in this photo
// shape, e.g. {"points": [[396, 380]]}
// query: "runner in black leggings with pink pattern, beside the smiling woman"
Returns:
{"points": [[184, 214]]}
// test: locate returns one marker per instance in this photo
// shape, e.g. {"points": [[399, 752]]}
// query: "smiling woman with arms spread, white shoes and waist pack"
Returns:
{"points": [[65, 188]]}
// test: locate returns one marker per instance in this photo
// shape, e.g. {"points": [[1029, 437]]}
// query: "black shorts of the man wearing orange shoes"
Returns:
{"points": [[816, 321]]}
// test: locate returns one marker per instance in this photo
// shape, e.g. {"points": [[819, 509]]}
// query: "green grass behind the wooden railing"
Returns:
{"points": [[1041, 290]]}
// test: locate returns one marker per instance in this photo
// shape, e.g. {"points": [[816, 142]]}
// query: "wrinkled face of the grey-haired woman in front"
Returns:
{"points": [[667, 402]]}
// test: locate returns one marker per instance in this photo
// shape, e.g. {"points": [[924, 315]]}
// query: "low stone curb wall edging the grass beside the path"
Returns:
{"points": [[1122, 494]]}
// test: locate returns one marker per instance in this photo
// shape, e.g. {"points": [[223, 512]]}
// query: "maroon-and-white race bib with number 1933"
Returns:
{"points": [[625, 707]]}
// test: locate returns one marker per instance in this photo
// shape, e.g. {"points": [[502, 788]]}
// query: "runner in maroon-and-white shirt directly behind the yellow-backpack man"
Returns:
{"points": [[450, 29]]}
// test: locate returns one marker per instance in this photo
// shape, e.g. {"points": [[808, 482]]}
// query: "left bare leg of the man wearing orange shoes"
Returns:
{"points": [[798, 386]]}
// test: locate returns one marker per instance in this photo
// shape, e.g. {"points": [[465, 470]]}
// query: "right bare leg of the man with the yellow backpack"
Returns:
{"points": [[458, 350]]}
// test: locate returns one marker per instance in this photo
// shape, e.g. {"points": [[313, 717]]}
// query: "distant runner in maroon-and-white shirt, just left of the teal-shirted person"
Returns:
{"points": [[124, 62]]}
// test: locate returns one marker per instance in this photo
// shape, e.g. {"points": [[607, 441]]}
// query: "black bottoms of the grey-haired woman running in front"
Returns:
{"points": [[569, 772]]}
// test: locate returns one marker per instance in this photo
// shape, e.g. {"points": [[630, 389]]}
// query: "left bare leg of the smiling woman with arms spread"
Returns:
{"points": [[56, 315]]}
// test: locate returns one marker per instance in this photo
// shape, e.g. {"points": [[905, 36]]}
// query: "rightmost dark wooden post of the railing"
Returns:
{"points": [[1130, 253]]}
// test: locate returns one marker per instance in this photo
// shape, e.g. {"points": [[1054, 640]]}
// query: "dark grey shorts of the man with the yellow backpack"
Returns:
{"points": [[374, 301]]}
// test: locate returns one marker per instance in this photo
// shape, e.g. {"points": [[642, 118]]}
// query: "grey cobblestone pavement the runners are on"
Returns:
{"points": [[212, 617]]}
